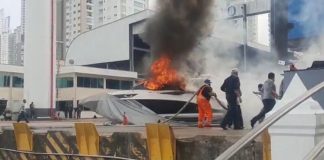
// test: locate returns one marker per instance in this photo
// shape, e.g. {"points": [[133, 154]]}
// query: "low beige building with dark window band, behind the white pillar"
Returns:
{"points": [[74, 83]]}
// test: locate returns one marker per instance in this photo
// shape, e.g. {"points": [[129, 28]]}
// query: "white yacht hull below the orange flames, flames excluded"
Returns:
{"points": [[167, 102]]}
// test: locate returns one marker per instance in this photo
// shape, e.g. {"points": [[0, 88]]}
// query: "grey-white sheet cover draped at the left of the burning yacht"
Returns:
{"points": [[113, 109]]}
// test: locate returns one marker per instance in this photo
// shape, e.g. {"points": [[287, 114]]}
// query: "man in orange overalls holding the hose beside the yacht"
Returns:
{"points": [[204, 108]]}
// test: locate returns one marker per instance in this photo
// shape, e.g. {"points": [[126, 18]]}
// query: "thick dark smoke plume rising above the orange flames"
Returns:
{"points": [[177, 27]]}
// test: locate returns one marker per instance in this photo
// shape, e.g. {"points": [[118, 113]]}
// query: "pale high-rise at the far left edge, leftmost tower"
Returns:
{"points": [[4, 37]]}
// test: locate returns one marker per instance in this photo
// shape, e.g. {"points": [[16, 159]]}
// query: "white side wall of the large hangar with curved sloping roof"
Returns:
{"points": [[107, 43]]}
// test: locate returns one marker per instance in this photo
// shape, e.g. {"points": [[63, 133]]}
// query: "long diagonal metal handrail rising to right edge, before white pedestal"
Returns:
{"points": [[268, 122]]}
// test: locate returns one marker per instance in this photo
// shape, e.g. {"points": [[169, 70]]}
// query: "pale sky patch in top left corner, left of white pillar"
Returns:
{"points": [[12, 8]]}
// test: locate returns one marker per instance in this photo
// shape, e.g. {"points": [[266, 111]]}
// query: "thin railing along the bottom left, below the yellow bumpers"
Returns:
{"points": [[48, 155]]}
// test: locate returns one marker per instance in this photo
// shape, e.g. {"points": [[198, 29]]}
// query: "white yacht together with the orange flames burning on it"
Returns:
{"points": [[164, 93]]}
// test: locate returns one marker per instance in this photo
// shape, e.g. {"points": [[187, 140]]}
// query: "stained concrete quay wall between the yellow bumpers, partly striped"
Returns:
{"points": [[132, 145]]}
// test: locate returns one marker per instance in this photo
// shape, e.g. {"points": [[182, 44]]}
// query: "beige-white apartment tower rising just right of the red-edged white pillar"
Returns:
{"points": [[78, 18]]}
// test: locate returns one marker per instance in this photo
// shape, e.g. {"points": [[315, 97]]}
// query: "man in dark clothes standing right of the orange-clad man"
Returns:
{"points": [[231, 87]]}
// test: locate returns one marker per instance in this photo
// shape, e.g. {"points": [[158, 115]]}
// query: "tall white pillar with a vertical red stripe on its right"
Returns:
{"points": [[38, 49]]}
